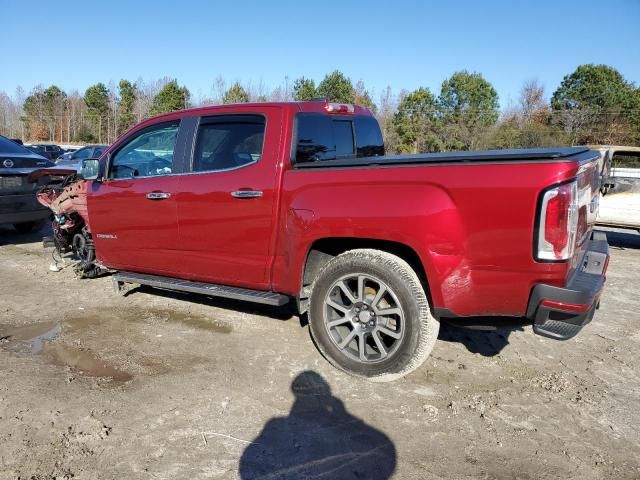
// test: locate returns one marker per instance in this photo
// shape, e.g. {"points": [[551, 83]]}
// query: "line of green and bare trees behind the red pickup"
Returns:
{"points": [[594, 104]]}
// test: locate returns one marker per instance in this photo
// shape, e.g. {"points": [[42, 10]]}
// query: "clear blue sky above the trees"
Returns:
{"points": [[401, 43]]}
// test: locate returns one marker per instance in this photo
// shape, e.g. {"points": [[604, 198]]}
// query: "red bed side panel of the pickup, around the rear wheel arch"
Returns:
{"points": [[471, 225]]}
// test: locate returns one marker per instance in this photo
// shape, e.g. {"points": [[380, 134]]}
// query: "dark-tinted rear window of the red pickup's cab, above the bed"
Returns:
{"points": [[322, 137]]}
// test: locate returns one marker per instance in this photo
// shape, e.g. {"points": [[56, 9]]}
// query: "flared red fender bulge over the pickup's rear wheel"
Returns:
{"points": [[421, 217]]}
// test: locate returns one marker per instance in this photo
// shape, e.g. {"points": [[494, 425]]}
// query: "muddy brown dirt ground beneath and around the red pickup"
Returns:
{"points": [[168, 386]]}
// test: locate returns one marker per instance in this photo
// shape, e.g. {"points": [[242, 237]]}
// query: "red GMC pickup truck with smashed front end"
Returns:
{"points": [[280, 202]]}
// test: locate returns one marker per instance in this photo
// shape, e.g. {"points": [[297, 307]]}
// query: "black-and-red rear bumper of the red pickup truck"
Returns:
{"points": [[561, 313]]}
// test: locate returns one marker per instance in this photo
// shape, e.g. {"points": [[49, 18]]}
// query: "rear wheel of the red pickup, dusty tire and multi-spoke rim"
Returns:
{"points": [[417, 328]]}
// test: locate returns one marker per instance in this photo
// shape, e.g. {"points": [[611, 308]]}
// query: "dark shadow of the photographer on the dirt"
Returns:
{"points": [[318, 439]]}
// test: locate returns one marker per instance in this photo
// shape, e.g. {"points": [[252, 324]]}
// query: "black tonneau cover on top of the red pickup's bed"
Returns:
{"points": [[482, 156]]}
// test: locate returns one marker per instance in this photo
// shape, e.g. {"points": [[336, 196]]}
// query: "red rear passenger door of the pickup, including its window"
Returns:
{"points": [[226, 204]]}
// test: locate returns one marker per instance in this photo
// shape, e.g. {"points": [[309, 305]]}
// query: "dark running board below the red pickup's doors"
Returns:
{"points": [[211, 289]]}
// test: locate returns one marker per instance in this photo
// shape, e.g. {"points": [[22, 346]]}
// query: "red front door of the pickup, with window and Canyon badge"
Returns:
{"points": [[133, 211]]}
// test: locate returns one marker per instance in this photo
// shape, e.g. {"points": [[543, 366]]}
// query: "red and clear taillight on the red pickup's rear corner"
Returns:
{"points": [[558, 222]]}
